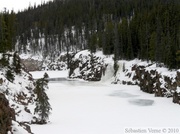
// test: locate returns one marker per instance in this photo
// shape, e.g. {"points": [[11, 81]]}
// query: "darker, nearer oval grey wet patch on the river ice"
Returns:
{"points": [[141, 102]]}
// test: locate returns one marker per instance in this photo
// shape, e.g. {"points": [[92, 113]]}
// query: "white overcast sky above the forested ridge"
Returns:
{"points": [[19, 4]]}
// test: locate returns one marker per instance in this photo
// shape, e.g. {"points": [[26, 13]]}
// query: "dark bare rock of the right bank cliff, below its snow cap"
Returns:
{"points": [[151, 81]]}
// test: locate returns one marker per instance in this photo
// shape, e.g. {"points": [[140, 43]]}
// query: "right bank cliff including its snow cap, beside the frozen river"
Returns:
{"points": [[151, 80]]}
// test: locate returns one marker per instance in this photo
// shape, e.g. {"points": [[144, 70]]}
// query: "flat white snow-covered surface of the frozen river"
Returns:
{"points": [[80, 107]]}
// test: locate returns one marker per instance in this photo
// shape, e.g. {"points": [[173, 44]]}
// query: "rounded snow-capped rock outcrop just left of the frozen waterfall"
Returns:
{"points": [[87, 66]]}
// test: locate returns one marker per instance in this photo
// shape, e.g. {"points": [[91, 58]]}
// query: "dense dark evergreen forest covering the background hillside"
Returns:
{"points": [[144, 29]]}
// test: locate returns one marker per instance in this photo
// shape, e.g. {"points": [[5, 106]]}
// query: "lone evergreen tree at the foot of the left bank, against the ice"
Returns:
{"points": [[43, 106]]}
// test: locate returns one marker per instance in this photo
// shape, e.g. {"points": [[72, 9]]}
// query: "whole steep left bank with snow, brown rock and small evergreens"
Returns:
{"points": [[17, 95]]}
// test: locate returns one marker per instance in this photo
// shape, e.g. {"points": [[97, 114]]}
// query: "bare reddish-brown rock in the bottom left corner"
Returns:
{"points": [[7, 114]]}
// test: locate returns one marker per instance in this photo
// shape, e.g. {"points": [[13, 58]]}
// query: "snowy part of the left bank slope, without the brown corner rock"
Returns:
{"points": [[19, 93]]}
